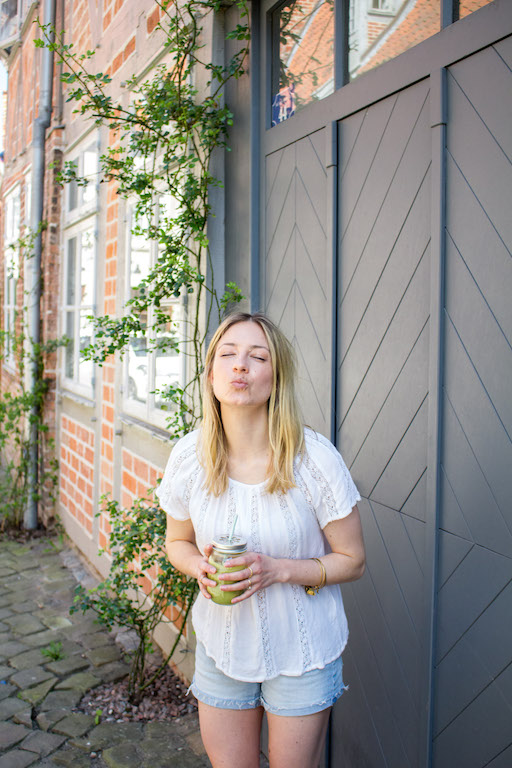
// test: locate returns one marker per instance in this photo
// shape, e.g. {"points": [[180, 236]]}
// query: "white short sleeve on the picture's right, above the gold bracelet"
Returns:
{"points": [[335, 491]]}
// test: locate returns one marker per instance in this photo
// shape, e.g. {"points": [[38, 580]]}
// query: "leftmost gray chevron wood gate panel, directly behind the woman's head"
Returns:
{"points": [[298, 272]]}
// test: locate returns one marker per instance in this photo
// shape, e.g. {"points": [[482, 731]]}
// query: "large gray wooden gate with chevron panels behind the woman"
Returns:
{"points": [[407, 179]]}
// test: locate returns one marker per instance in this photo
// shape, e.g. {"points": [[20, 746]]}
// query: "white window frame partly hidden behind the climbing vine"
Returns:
{"points": [[148, 411]]}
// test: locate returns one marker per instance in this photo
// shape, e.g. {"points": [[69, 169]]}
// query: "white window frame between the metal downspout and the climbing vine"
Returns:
{"points": [[76, 308]]}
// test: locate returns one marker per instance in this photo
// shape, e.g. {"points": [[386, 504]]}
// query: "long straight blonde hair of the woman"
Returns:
{"points": [[286, 430]]}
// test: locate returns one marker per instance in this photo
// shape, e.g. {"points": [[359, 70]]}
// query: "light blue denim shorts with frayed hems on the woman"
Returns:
{"points": [[304, 694]]}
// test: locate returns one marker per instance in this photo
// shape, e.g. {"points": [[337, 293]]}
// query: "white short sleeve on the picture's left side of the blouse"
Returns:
{"points": [[181, 467]]}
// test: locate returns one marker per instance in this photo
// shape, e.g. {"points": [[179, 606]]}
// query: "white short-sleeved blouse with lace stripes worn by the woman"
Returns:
{"points": [[280, 629]]}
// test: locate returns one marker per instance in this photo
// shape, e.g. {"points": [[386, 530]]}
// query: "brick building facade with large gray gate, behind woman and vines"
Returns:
{"points": [[366, 208]]}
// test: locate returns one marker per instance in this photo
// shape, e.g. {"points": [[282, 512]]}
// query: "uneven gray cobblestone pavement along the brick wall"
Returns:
{"points": [[37, 725]]}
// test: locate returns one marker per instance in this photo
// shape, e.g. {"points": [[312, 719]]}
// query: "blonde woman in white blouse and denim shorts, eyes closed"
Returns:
{"points": [[277, 646]]}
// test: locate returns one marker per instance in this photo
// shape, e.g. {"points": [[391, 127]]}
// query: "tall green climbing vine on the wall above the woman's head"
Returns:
{"points": [[163, 142]]}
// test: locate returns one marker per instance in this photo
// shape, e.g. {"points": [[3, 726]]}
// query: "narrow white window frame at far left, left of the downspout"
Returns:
{"points": [[12, 232]]}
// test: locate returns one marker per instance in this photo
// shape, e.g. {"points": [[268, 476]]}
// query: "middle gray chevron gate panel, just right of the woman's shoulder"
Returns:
{"points": [[382, 406]]}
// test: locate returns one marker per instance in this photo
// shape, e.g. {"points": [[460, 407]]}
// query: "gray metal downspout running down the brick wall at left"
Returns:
{"points": [[33, 264]]}
